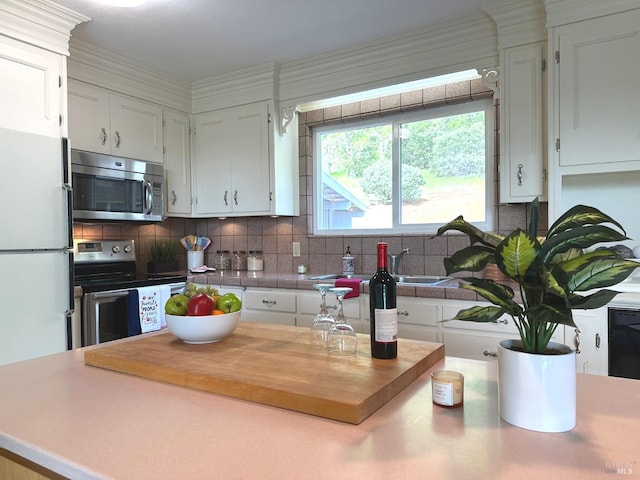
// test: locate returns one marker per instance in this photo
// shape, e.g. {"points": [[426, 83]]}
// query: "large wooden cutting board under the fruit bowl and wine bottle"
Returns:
{"points": [[274, 365]]}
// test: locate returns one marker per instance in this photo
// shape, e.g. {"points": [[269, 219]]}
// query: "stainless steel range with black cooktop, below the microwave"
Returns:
{"points": [[106, 271]]}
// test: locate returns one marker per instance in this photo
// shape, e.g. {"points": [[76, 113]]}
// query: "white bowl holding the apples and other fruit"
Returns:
{"points": [[203, 329]]}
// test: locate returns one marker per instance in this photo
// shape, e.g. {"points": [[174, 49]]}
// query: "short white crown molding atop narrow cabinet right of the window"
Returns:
{"points": [[518, 22]]}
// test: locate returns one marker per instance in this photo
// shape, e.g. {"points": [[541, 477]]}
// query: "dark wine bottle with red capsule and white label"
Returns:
{"points": [[382, 309]]}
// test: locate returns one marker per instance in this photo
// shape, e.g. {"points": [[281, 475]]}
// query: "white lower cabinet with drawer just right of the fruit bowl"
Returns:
{"points": [[269, 306]]}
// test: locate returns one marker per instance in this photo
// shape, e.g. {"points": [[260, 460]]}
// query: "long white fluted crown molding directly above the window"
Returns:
{"points": [[464, 44]]}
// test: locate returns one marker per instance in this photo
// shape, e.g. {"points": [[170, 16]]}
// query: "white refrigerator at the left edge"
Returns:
{"points": [[36, 262]]}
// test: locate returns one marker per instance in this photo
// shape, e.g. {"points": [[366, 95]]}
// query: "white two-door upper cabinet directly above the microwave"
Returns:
{"points": [[102, 122]]}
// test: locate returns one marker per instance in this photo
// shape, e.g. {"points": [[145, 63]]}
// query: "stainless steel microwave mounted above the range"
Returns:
{"points": [[109, 188]]}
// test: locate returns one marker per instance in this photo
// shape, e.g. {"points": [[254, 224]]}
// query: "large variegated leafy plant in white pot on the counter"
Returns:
{"points": [[546, 272]]}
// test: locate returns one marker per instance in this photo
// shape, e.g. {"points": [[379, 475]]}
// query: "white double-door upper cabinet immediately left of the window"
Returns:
{"points": [[241, 165]]}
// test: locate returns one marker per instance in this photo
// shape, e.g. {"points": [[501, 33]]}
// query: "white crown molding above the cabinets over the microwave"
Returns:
{"points": [[105, 69]]}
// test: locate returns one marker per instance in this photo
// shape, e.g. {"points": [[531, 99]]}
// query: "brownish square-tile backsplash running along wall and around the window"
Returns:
{"points": [[275, 236]]}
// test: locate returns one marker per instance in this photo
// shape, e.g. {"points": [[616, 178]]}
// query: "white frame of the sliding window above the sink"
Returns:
{"points": [[483, 104]]}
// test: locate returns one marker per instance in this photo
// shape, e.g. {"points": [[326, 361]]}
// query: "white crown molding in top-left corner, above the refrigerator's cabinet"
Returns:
{"points": [[39, 22]]}
